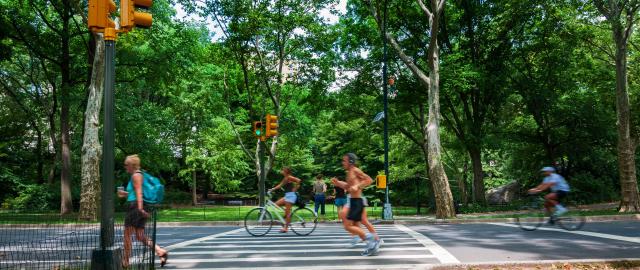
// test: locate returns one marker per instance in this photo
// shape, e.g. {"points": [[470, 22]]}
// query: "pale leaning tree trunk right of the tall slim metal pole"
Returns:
{"points": [[439, 180]]}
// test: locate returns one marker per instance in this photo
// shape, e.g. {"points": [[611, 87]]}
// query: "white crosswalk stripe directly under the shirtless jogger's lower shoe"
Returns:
{"points": [[271, 251]]}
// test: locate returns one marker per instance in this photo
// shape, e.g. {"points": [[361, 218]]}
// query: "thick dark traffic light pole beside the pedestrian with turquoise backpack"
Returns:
{"points": [[108, 257]]}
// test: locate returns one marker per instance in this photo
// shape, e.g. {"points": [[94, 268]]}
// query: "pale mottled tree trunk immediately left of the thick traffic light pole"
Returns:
{"points": [[91, 147]]}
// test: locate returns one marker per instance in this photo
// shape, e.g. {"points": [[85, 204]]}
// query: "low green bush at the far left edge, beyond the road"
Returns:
{"points": [[32, 197]]}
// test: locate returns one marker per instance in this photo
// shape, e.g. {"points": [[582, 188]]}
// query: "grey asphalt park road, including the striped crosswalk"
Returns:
{"points": [[405, 247]]}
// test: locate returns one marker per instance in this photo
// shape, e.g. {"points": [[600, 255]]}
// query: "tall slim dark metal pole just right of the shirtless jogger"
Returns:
{"points": [[387, 212]]}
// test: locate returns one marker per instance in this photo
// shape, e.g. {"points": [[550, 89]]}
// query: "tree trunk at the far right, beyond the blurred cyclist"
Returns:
{"points": [[626, 150]]}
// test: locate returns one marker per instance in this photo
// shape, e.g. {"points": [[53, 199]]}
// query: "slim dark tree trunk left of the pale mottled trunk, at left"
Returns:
{"points": [[66, 204]]}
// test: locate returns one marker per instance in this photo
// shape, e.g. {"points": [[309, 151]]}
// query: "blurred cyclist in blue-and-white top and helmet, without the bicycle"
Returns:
{"points": [[559, 189]]}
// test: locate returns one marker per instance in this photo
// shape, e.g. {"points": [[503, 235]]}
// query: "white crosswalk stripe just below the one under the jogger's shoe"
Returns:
{"points": [[281, 259]]}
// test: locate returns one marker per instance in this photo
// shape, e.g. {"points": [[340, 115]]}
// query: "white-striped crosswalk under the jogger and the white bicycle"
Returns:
{"points": [[327, 248]]}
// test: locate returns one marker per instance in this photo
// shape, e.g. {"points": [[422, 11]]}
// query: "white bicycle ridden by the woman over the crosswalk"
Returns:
{"points": [[259, 221]]}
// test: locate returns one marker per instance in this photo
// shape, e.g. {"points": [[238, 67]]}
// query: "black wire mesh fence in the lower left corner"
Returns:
{"points": [[37, 240]]}
